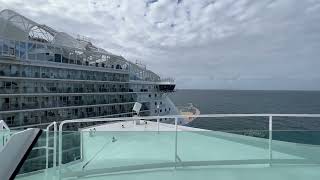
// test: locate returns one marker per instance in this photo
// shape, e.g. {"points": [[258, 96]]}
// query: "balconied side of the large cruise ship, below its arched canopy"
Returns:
{"points": [[40, 83]]}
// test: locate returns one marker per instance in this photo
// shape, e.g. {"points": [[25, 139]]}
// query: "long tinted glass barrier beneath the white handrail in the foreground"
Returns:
{"points": [[102, 152]]}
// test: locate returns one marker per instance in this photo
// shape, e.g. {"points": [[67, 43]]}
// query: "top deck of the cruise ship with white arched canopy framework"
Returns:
{"points": [[31, 43]]}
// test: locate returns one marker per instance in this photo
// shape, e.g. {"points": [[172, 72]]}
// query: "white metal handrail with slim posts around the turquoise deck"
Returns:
{"points": [[176, 117]]}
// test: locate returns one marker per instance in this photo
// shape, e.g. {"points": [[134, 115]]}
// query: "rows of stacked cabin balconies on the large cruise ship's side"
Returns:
{"points": [[36, 90]]}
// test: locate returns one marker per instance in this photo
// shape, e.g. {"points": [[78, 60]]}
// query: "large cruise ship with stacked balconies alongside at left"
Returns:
{"points": [[47, 76]]}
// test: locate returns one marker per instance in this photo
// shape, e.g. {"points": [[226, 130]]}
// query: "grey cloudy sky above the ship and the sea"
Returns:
{"points": [[207, 44]]}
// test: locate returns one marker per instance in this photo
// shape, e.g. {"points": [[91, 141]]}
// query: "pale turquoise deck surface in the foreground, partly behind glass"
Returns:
{"points": [[229, 156]]}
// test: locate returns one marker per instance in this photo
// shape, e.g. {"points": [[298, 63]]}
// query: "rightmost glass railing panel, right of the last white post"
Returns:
{"points": [[299, 136]]}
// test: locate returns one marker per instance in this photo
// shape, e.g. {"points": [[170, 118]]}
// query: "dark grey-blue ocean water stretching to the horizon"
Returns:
{"points": [[301, 130]]}
